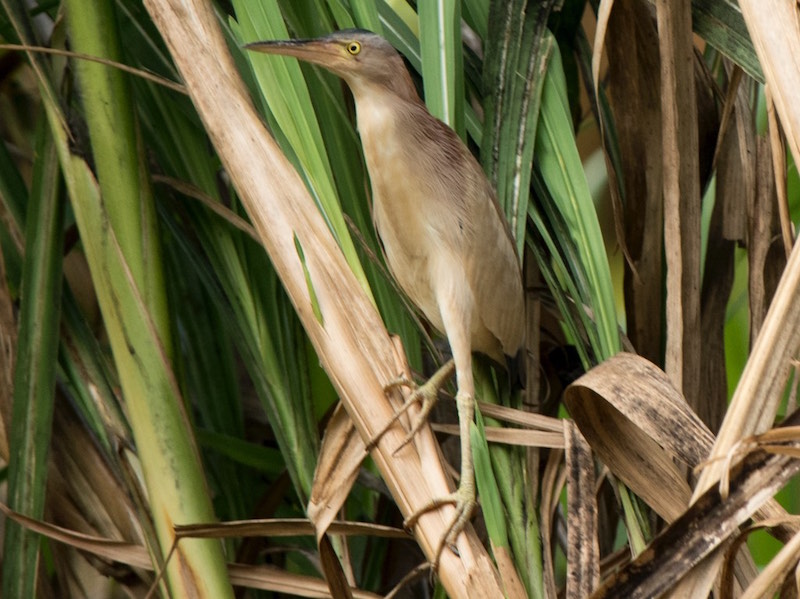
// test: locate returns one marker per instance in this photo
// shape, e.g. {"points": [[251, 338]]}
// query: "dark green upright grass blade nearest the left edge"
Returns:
{"points": [[35, 370]]}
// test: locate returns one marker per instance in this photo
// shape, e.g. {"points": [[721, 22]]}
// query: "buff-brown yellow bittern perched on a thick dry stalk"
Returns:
{"points": [[444, 236]]}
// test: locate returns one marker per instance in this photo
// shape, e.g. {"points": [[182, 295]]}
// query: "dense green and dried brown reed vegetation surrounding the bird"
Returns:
{"points": [[180, 313]]}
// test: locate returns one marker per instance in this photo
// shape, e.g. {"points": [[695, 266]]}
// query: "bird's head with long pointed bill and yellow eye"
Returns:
{"points": [[362, 58]]}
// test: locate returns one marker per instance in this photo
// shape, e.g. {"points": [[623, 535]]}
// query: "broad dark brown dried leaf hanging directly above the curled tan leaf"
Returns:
{"points": [[634, 89]]}
